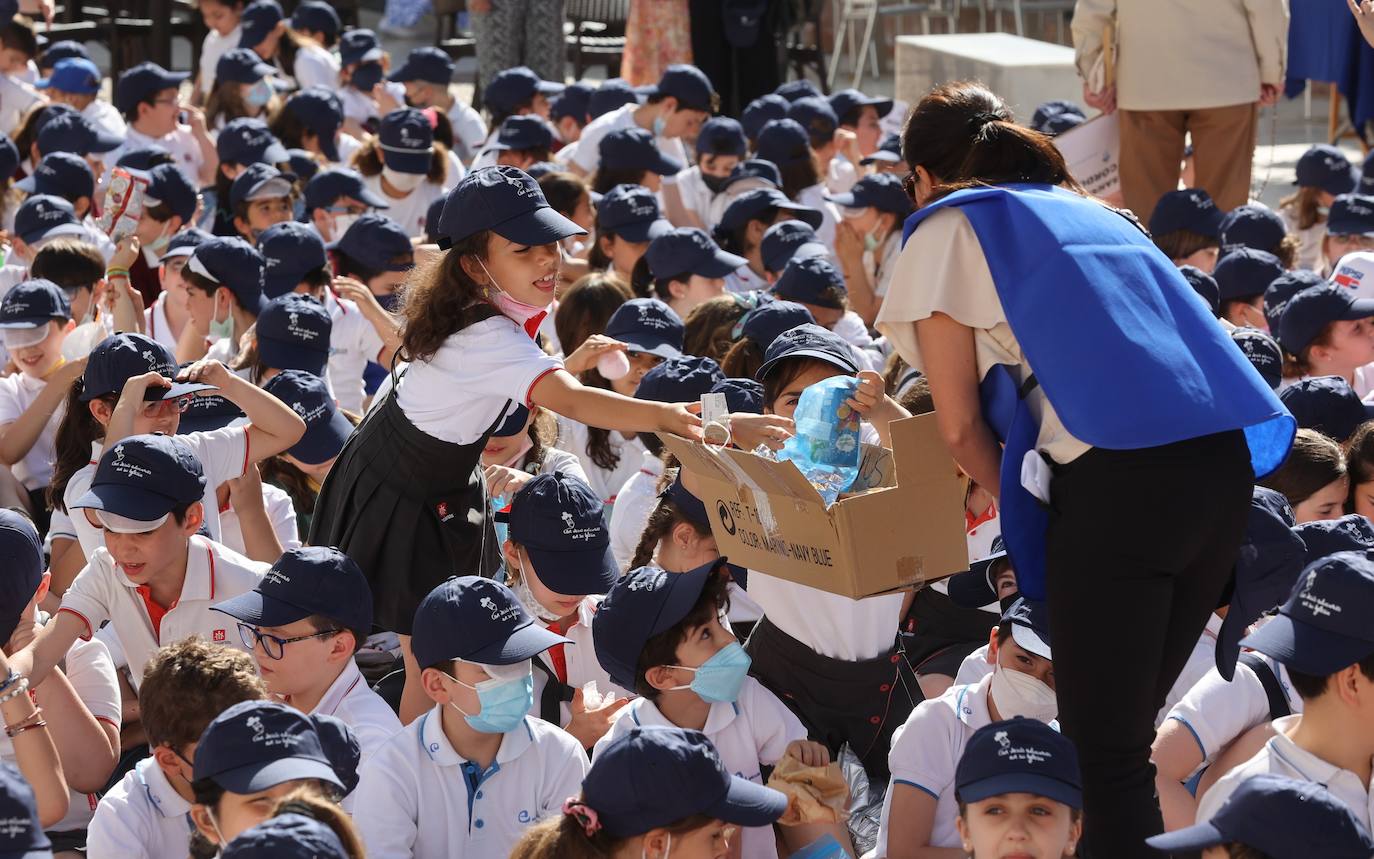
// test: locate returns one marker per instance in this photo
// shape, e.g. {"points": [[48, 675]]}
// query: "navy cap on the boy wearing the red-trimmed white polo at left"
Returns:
{"points": [[144, 479]]}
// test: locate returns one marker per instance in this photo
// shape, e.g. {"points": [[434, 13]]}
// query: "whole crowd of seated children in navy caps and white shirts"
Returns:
{"points": [[340, 522]]}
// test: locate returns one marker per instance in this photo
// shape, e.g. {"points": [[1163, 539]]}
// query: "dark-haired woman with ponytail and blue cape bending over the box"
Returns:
{"points": [[1140, 491]]}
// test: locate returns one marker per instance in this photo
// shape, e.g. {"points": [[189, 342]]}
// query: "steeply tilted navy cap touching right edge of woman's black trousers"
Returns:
{"points": [[1269, 563]]}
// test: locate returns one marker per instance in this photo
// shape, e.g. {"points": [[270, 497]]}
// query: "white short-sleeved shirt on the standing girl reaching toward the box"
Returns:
{"points": [[479, 375]]}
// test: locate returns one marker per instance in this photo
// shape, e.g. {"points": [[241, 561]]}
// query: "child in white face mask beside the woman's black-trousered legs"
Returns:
{"points": [[921, 807]]}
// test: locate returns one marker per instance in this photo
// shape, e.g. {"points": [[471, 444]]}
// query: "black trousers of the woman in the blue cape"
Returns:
{"points": [[1141, 549]]}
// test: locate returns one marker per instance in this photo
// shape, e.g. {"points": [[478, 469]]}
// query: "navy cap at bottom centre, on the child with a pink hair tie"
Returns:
{"points": [[627, 784]]}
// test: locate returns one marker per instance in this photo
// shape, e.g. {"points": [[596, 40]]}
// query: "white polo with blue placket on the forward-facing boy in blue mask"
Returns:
{"points": [[420, 798]]}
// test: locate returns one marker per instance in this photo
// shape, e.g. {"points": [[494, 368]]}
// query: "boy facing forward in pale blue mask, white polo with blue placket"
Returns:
{"points": [[469, 776]]}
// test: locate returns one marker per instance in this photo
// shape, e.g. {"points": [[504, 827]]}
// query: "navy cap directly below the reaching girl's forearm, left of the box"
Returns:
{"points": [[561, 524]]}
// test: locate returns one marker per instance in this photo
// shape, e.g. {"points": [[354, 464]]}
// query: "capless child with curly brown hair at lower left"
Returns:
{"points": [[185, 688]]}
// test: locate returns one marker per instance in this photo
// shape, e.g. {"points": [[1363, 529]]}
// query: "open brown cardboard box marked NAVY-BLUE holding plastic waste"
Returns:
{"points": [[766, 516]]}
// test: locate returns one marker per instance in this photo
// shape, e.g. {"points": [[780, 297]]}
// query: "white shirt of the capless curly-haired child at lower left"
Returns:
{"points": [[141, 818]]}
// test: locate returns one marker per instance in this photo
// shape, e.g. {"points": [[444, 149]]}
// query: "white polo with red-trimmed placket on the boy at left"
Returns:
{"points": [[214, 574]]}
